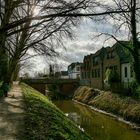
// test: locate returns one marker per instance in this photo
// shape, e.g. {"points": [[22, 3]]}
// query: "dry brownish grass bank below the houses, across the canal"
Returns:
{"points": [[123, 106]]}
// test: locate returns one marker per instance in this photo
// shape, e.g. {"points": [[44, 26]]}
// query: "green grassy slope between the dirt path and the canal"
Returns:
{"points": [[45, 121]]}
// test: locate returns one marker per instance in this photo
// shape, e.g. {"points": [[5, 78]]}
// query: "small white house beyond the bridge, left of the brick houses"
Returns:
{"points": [[74, 70]]}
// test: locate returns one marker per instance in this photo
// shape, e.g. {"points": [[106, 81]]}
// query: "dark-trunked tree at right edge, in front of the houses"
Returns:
{"points": [[130, 21]]}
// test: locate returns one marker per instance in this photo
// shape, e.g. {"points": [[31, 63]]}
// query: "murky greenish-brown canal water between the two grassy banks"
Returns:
{"points": [[97, 125]]}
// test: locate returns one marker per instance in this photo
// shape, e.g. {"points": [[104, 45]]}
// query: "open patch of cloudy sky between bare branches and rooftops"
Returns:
{"points": [[86, 42]]}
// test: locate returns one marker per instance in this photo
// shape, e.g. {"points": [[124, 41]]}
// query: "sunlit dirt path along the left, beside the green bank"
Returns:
{"points": [[12, 115]]}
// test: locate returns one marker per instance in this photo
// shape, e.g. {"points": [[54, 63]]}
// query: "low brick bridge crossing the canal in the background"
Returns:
{"points": [[63, 86]]}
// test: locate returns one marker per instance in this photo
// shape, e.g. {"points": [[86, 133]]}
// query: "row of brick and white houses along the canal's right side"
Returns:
{"points": [[93, 70]]}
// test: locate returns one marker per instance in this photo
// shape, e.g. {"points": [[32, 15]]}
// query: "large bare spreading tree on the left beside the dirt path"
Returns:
{"points": [[38, 35]]}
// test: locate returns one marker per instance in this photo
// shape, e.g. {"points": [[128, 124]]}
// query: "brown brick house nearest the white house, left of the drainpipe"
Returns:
{"points": [[92, 69]]}
